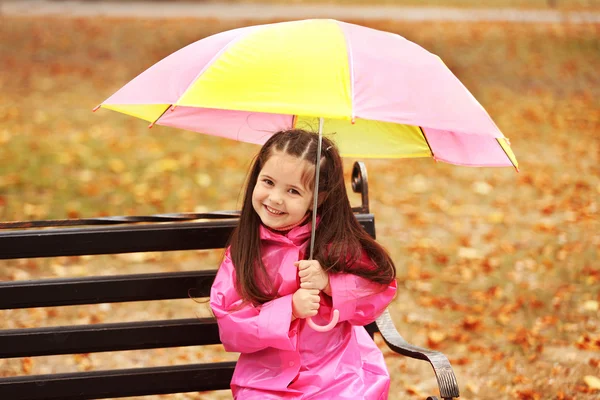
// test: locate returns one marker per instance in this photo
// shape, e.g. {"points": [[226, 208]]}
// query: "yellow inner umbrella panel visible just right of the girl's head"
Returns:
{"points": [[371, 139]]}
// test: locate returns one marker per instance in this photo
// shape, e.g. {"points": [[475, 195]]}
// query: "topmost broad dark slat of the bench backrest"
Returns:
{"points": [[126, 239]]}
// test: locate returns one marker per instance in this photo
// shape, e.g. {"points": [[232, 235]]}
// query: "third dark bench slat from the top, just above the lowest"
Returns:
{"points": [[77, 339]]}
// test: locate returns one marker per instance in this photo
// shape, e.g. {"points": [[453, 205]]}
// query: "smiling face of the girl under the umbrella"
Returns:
{"points": [[280, 198]]}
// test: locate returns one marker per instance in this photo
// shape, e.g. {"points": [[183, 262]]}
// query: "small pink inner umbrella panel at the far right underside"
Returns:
{"points": [[464, 149]]}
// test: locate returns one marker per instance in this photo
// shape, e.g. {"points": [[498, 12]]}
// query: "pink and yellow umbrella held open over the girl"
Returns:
{"points": [[382, 95]]}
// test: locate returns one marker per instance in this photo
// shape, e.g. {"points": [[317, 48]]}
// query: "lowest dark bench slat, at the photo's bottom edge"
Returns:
{"points": [[119, 383]]}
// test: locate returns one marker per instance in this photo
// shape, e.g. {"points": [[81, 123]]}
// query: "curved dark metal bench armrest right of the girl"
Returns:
{"points": [[441, 366]]}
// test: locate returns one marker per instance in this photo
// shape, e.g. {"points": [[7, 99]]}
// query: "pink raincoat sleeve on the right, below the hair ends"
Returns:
{"points": [[359, 300]]}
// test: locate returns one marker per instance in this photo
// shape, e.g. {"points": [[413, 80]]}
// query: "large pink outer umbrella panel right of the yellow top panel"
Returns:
{"points": [[396, 80]]}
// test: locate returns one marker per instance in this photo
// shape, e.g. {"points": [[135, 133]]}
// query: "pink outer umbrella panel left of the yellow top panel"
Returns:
{"points": [[167, 80]]}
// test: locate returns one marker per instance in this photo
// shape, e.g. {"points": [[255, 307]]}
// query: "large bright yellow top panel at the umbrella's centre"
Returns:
{"points": [[296, 68]]}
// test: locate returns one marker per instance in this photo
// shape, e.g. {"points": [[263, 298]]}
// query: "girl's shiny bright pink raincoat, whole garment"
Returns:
{"points": [[287, 360]]}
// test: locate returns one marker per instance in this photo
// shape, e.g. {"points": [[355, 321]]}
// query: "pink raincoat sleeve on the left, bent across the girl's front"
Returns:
{"points": [[245, 328]]}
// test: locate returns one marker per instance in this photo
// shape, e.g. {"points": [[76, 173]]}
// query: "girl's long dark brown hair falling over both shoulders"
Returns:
{"points": [[339, 239]]}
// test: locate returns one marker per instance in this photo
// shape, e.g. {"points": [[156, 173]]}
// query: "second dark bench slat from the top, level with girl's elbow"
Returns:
{"points": [[105, 289]]}
